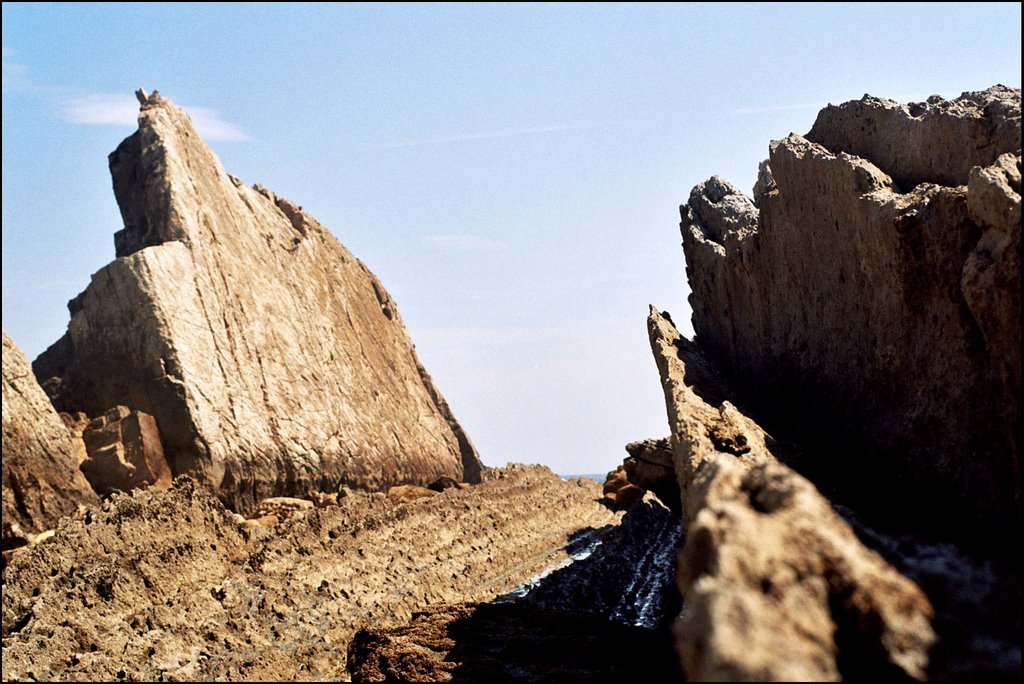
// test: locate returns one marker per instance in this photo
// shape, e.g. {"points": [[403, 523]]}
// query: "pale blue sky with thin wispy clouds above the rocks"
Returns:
{"points": [[513, 174]]}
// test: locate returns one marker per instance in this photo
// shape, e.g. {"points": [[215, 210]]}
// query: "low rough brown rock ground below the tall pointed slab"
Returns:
{"points": [[168, 585]]}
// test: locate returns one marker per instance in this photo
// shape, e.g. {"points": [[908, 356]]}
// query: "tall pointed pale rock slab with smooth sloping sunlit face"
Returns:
{"points": [[273, 361]]}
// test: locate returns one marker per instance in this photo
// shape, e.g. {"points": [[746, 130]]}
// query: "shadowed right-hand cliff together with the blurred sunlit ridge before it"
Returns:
{"points": [[866, 308]]}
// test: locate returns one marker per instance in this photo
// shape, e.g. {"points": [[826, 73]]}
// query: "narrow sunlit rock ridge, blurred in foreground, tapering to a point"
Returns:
{"points": [[769, 568]]}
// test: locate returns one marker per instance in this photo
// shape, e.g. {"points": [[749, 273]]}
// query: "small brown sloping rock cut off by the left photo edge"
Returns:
{"points": [[41, 480]]}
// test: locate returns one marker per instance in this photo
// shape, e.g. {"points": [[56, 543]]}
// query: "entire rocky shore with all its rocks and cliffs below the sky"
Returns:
{"points": [[253, 478]]}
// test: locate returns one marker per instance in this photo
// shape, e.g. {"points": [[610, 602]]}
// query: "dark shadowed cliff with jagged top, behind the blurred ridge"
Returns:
{"points": [[869, 307]]}
